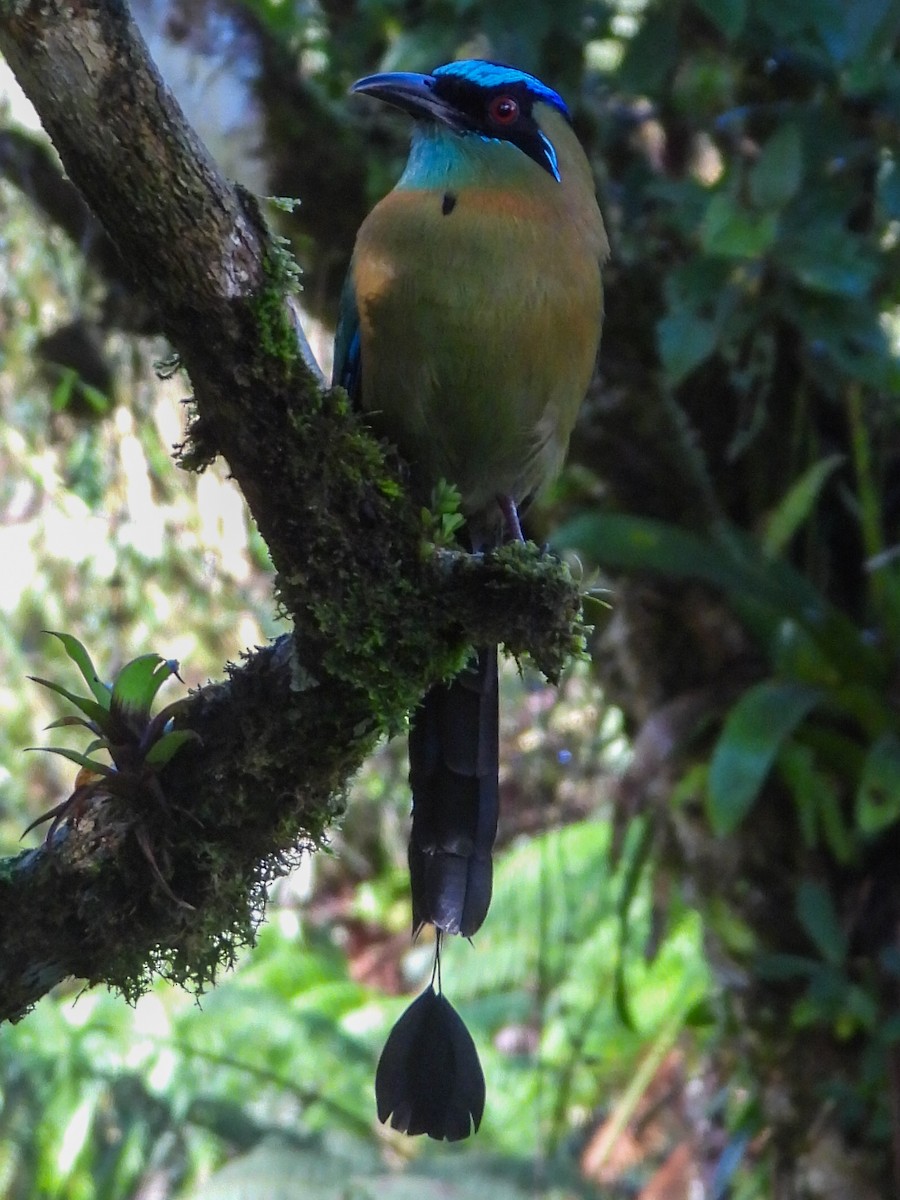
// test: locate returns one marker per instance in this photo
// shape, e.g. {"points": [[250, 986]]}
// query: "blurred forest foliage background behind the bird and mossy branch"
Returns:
{"points": [[723, 785]]}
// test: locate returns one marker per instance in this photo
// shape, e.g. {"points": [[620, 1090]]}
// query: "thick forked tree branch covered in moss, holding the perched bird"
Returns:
{"points": [[376, 621]]}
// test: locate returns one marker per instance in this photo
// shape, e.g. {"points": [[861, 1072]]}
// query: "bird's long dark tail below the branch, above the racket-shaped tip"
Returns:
{"points": [[454, 761]]}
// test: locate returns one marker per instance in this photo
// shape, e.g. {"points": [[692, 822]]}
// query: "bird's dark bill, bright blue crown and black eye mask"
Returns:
{"points": [[478, 100]]}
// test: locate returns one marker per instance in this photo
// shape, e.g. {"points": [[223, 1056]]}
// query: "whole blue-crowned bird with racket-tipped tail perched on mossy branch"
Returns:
{"points": [[469, 334]]}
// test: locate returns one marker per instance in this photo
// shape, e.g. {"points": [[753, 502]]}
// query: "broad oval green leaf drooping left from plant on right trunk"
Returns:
{"points": [[764, 718]]}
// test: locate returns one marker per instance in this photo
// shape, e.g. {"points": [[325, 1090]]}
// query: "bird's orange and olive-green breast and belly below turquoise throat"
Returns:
{"points": [[479, 334]]}
